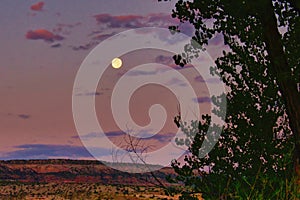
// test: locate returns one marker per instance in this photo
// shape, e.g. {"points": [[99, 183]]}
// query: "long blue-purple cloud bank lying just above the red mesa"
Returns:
{"points": [[44, 151]]}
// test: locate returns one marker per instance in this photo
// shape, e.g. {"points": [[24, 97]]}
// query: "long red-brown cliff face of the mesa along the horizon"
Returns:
{"points": [[78, 171]]}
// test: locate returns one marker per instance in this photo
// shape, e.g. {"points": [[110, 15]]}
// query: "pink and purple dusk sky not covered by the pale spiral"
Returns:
{"points": [[43, 45]]}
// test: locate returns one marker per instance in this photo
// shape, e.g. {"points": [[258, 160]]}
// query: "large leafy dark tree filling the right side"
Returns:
{"points": [[262, 70]]}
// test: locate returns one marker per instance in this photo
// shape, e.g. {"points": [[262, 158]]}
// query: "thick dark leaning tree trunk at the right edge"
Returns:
{"points": [[281, 70]]}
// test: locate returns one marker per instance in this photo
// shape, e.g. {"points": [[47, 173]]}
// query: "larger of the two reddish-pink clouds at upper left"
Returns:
{"points": [[43, 34]]}
